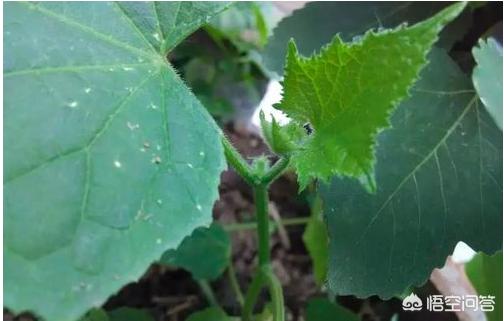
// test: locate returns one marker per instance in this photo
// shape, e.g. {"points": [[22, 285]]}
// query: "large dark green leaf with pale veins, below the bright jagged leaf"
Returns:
{"points": [[439, 178]]}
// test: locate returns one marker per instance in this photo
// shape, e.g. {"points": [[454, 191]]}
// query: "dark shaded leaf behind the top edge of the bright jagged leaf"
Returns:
{"points": [[315, 25]]}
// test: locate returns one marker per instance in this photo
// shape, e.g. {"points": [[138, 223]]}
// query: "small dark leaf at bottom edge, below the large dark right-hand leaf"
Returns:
{"points": [[325, 310]]}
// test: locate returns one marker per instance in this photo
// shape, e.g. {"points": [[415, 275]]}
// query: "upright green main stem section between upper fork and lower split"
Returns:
{"points": [[261, 203]]}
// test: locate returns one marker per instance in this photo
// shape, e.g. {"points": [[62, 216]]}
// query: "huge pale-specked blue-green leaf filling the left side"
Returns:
{"points": [[109, 158]]}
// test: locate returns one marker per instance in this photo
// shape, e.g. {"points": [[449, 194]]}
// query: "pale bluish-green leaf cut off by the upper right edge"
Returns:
{"points": [[487, 77]]}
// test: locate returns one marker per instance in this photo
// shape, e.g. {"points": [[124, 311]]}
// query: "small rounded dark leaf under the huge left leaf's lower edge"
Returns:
{"points": [[211, 243]]}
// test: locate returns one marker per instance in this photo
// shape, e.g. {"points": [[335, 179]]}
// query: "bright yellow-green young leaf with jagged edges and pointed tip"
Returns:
{"points": [[347, 92]]}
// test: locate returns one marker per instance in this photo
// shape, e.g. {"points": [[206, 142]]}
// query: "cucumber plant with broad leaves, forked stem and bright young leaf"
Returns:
{"points": [[110, 160]]}
